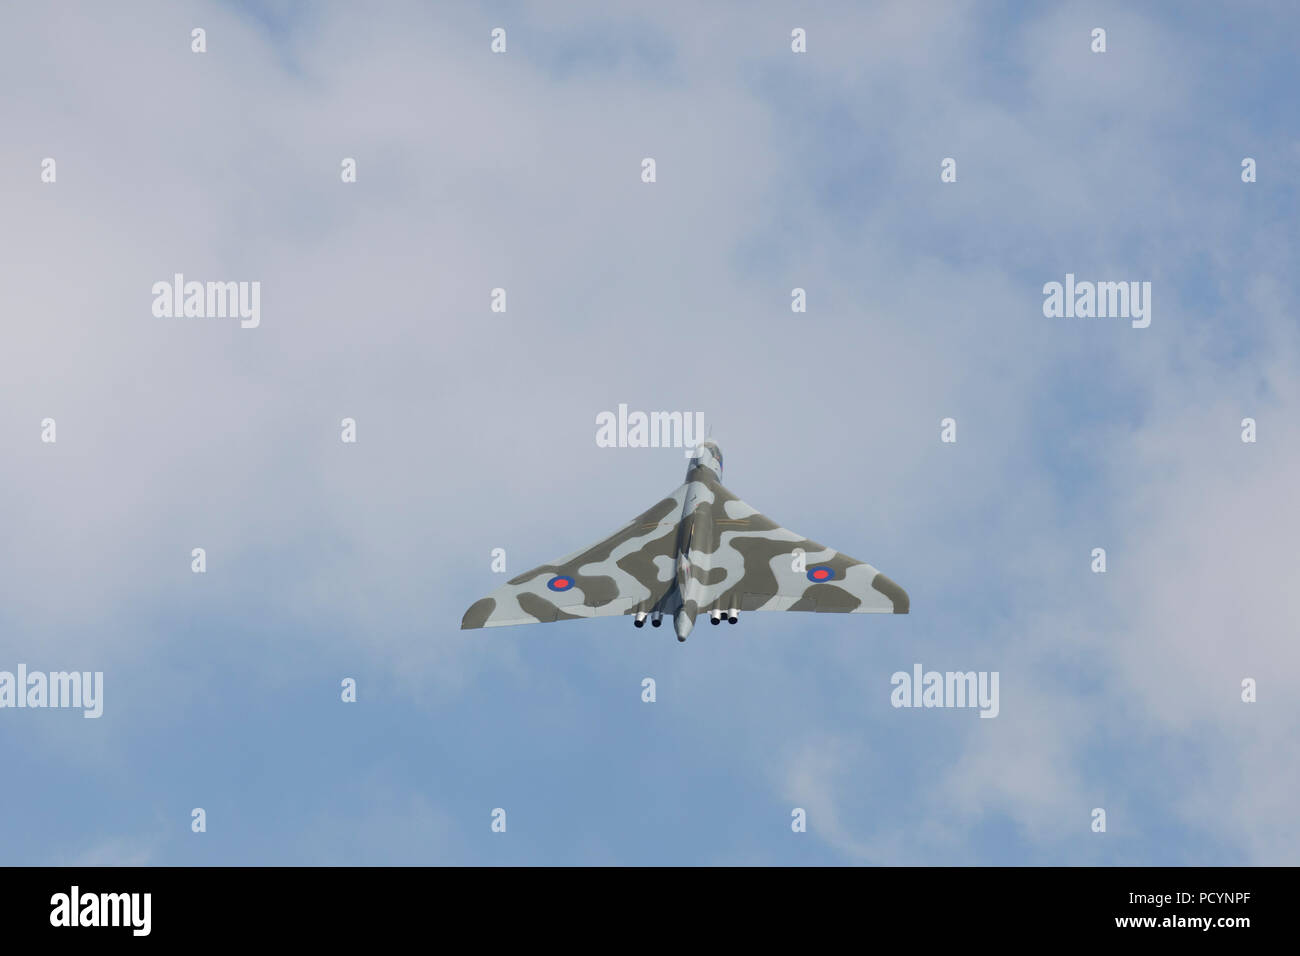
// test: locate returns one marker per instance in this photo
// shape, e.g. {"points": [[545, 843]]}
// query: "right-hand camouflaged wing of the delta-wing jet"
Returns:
{"points": [[760, 566]]}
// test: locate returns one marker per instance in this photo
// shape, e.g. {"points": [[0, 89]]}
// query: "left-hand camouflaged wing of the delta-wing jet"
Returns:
{"points": [[629, 572]]}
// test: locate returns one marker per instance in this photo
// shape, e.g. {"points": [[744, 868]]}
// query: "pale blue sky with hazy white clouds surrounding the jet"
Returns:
{"points": [[476, 430]]}
